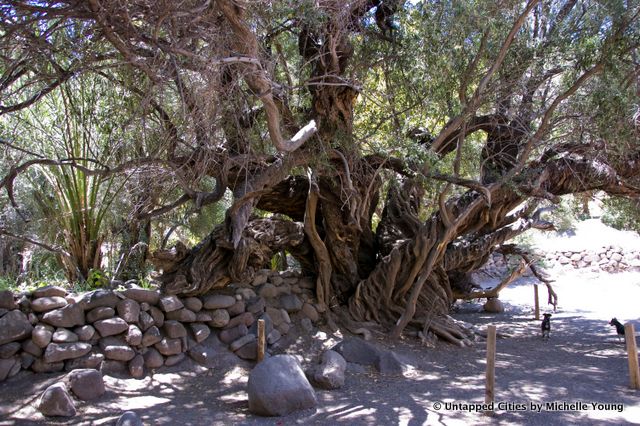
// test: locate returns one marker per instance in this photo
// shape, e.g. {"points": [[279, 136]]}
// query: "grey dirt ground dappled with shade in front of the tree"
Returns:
{"points": [[582, 363]]}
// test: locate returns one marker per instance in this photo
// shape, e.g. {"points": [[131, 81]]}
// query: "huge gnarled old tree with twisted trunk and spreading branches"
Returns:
{"points": [[388, 147]]}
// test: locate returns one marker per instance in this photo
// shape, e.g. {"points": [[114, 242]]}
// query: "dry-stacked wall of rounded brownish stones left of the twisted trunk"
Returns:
{"points": [[134, 329]]}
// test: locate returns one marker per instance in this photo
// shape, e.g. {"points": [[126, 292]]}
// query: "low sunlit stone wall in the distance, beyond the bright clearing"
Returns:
{"points": [[609, 259]]}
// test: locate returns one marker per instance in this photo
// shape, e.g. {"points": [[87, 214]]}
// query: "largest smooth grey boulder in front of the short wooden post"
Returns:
{"points": [[277, 386]]}
